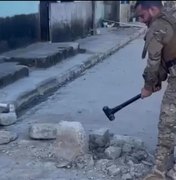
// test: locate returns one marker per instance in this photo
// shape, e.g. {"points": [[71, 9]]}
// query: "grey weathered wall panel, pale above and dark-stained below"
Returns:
{"points": [[70, 20]]}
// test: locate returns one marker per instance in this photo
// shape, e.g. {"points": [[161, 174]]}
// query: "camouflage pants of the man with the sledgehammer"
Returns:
{"points": [[166, 127]]}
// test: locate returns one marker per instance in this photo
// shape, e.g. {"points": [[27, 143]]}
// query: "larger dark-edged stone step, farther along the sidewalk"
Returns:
{"points": [[42, 54]]}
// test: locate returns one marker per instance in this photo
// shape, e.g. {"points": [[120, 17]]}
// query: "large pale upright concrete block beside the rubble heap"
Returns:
{"points": [[71, 142]]}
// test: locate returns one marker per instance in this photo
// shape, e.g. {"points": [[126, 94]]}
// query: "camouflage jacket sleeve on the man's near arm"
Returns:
{"points": [[159, 34]]}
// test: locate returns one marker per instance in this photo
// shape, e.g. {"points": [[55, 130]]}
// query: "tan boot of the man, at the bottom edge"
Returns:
{"points": [[155, 175]]}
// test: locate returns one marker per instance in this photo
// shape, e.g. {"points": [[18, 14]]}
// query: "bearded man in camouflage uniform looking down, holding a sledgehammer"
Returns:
{"points": [[160, 43]]}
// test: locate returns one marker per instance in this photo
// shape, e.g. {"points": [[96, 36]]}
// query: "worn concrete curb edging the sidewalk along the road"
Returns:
{"points": [[47, 87]]}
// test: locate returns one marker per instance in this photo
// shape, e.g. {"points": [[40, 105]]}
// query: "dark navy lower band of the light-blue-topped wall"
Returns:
{"points": [[18, 31]]}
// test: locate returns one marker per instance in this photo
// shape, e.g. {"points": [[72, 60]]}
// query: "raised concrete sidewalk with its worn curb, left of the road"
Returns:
{"points": [[41, 83]]}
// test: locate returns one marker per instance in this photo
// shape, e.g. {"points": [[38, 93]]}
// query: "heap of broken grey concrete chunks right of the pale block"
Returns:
{"points": [[123, 157]]}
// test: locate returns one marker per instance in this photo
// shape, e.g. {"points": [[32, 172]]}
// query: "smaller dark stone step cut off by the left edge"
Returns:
{"points": [[11, 72]]}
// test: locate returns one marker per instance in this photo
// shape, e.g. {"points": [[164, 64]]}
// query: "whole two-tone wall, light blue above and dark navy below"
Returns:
{"points": [[19, 24]]}
